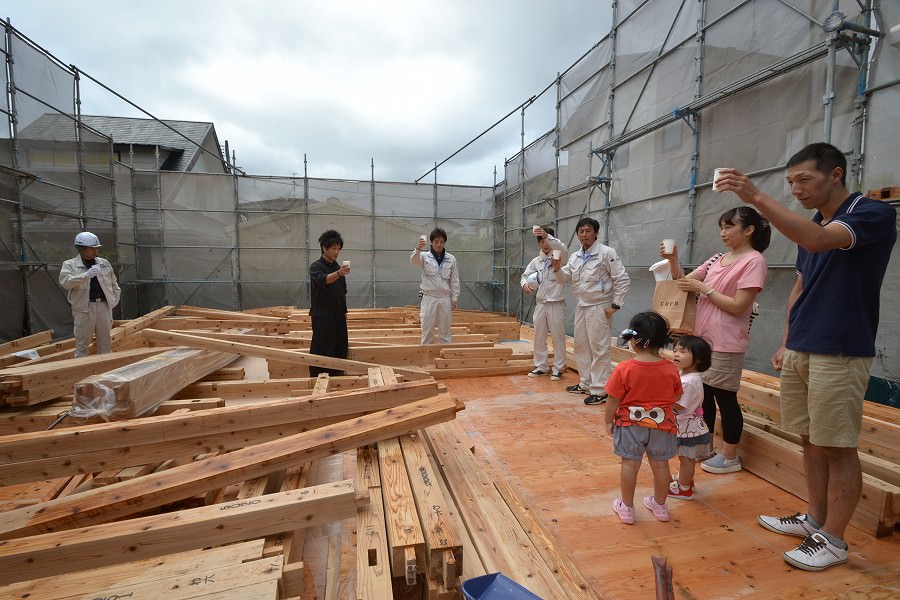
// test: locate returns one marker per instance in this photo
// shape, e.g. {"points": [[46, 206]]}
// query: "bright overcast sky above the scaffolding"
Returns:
{"points": [[403, 82]]}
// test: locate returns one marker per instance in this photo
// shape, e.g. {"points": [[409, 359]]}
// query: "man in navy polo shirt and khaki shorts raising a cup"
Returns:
{"points": [[829, 341]]}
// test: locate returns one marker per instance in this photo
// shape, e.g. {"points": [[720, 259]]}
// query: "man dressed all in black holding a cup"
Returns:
{"points": [[328, 302]]}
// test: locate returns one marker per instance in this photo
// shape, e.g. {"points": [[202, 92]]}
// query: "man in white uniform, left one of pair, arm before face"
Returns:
{"points": [[539, 278]]}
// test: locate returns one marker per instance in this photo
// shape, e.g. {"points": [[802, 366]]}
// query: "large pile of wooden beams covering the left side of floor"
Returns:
{"points": [[207, 481]]}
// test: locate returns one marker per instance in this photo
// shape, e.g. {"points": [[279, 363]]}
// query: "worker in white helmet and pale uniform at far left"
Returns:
{"points": [[92, 293]]}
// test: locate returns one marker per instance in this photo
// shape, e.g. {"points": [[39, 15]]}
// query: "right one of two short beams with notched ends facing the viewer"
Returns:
{"points": [[440, 533]]}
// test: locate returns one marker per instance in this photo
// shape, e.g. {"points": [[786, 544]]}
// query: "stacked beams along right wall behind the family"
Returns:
{"points": [[777, 455]]}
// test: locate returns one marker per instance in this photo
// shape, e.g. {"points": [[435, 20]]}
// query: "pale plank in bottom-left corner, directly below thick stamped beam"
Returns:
{"points": [[151, 569]]}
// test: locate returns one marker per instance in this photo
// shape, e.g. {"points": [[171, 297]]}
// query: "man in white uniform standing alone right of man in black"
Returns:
{"points": [[440, 286]]}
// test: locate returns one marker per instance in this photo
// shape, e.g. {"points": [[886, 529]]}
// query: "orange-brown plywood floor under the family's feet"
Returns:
{"points": [[555, 450]]}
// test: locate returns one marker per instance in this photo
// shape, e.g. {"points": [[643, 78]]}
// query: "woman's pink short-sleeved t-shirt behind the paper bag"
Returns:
{"points": [[724, 331]]}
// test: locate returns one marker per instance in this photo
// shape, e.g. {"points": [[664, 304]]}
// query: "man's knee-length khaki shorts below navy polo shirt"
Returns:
{"points": [[822, 397]]}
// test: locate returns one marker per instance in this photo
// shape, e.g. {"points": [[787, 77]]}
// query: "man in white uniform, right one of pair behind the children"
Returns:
{"points": [[599, 284]]}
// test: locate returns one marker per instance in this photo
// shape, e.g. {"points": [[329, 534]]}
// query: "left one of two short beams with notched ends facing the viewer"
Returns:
{"points": [[404, 533]]}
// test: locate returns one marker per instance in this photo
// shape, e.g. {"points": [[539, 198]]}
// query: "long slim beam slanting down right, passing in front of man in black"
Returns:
{"points": [[274, 353]]}
